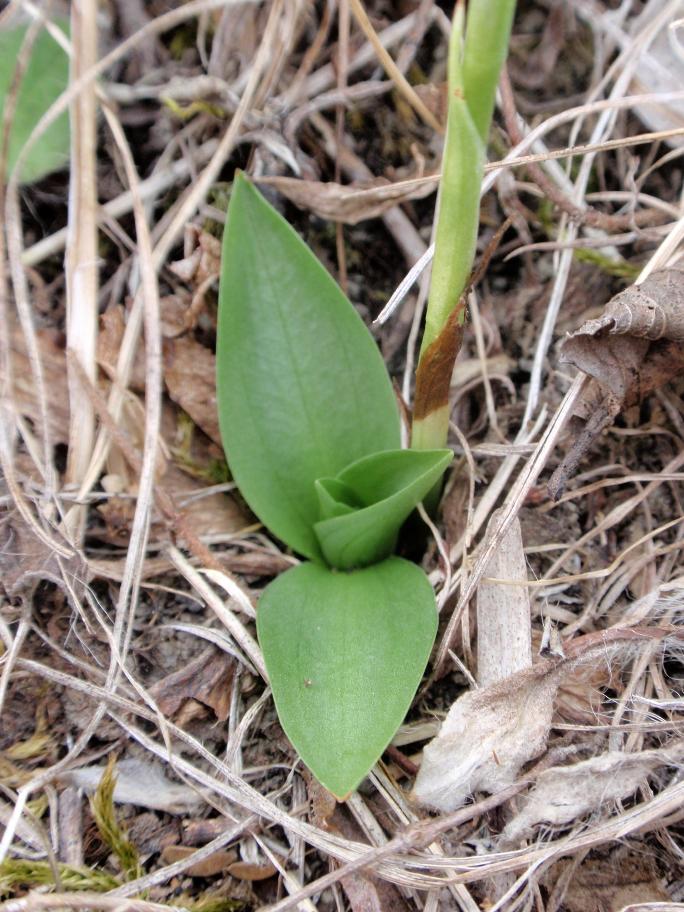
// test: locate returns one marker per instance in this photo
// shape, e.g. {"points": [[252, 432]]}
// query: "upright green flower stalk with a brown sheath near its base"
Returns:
{"points": [[477, 50]]}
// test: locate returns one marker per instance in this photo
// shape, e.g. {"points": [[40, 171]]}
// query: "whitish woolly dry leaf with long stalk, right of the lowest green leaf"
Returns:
{"points": [[490, 733]]}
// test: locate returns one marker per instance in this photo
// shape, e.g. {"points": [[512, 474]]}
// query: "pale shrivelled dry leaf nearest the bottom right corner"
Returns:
{"points": [[563, 794]]}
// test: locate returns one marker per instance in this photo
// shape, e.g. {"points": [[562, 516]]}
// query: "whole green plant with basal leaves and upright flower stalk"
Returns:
{"points": [[311, 432]]}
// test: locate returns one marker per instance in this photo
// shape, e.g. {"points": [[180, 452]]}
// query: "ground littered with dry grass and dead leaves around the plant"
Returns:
{"points": [[142, 766]]}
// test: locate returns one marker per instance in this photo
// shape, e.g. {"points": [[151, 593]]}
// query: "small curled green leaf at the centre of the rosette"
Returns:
{"points": [[389, 485]]}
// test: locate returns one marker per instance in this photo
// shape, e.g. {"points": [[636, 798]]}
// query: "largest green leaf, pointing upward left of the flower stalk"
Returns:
{"points": [[302, 390]]}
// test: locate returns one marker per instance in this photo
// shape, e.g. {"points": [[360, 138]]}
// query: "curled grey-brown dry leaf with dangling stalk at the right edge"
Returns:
{"points": [[635, 347]]}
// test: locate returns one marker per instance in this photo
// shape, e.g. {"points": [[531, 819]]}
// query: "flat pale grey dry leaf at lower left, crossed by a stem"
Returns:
{"points": [[140, 783]]}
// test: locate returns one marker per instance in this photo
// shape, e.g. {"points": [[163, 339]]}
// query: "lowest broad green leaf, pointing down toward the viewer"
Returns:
{"points": [[345, 653]]}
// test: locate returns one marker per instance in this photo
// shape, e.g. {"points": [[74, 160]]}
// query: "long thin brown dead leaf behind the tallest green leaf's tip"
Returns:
{"points": [[351, 204]]}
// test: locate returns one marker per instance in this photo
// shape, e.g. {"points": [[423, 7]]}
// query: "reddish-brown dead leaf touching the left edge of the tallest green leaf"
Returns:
{"points": [[190, 375]]}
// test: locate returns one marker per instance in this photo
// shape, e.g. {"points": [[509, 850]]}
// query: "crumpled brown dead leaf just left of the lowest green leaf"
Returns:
{"points": [[207, 679]]}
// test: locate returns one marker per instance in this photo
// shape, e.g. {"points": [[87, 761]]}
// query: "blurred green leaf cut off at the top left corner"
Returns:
{"points": [[45, 78]]}
